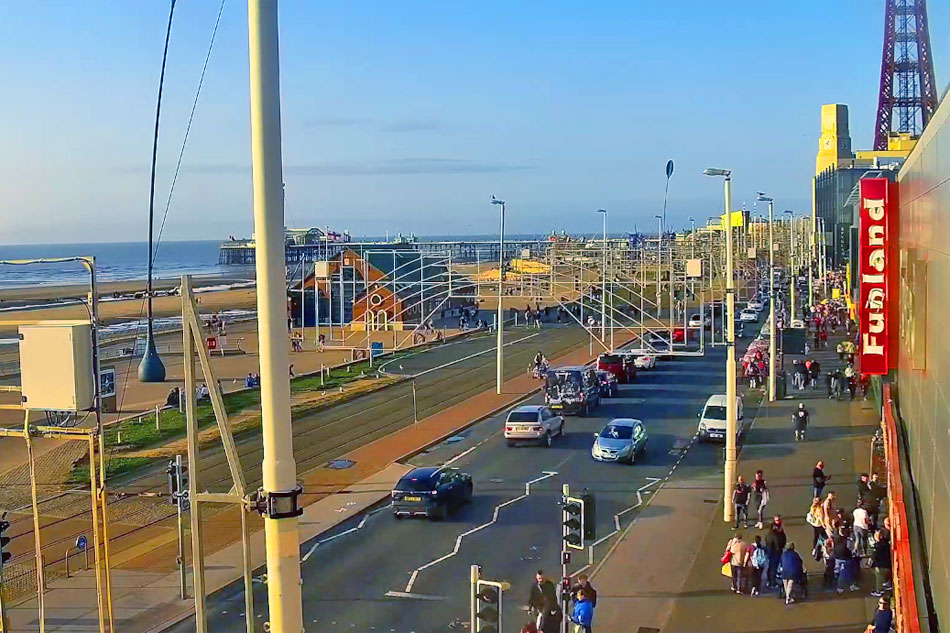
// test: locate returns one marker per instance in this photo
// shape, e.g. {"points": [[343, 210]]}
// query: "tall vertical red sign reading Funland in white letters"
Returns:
{"points": [[875, 266]]}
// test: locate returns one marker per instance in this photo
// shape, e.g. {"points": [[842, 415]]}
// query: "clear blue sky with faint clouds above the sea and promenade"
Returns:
{"points": [[407, 116]]}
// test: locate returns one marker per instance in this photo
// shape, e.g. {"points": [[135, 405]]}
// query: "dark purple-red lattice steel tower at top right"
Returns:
{"points": [[908, 96]]}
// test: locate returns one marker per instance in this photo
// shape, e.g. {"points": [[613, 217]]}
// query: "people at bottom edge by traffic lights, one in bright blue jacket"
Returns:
{"points": [[544, 606]]}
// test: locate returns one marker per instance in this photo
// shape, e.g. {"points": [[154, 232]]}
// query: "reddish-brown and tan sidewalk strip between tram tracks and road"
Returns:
{"points": [[148, 601]]}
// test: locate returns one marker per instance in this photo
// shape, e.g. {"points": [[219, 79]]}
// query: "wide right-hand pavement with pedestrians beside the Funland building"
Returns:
{"points": [[664, 575]]}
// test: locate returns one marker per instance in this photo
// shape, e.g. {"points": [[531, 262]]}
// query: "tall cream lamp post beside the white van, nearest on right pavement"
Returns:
{"points": [[729, 475]]}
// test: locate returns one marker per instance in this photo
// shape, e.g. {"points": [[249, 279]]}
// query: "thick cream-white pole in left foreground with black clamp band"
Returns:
{"points": [[282, 545]]}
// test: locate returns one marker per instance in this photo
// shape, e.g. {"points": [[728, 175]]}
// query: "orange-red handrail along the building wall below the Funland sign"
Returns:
{"points": [[905, 593]]}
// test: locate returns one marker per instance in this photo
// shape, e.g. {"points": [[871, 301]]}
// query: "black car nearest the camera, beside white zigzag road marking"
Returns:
{"points": [[432, 492]]}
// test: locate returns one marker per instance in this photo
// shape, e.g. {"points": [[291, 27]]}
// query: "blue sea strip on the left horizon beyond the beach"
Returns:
{"points": [[115, 261]]}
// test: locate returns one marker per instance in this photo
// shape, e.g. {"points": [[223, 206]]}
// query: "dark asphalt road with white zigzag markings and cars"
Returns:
{"points": [[510, 534]]}
